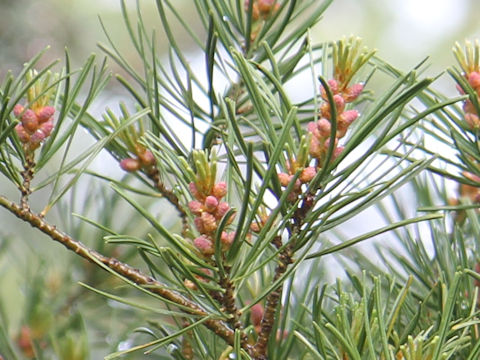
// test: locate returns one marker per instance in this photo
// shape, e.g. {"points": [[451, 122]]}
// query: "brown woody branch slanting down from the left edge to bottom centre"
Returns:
{"points": [[125, 270]]}
